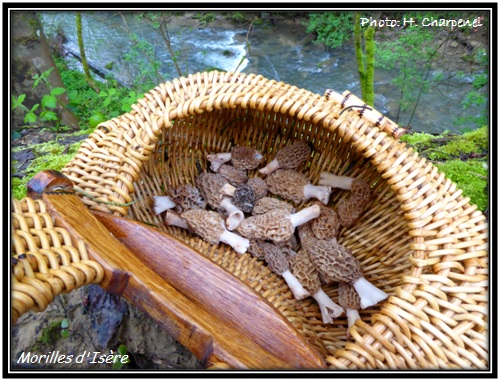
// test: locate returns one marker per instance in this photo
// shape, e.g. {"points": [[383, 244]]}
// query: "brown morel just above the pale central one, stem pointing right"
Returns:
{"points": [[296, 187]]}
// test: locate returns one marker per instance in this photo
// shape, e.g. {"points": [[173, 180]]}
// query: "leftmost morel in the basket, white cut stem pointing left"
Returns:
{"points": [[181, 199]]}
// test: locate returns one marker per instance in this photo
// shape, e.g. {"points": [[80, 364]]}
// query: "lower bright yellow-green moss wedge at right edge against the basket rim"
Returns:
{"points": [[471, 177]]}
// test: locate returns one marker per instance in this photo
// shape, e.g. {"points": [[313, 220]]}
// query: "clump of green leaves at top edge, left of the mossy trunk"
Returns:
{"points": [[332, 28]]}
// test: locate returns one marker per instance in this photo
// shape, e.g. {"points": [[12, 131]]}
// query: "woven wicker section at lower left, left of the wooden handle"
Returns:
{"points": [[45, 263]]}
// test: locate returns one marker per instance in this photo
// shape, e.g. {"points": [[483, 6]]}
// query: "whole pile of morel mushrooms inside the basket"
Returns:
{"points": [[227, 206]]}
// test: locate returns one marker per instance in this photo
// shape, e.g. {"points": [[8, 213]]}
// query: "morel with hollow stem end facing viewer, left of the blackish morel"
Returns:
{"points": [[210, 185]]}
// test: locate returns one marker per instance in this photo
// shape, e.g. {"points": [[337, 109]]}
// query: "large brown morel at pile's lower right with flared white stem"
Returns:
{"points": [[336, 262]]}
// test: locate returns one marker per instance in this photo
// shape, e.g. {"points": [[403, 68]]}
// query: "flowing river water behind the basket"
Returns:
{"points": [[276, 53]]}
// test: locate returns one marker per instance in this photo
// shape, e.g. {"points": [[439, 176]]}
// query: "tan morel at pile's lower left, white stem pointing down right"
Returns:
{"points": [[210, 227]]}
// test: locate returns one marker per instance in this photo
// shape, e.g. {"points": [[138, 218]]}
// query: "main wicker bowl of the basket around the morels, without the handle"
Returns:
{"points": [[419, 240]]}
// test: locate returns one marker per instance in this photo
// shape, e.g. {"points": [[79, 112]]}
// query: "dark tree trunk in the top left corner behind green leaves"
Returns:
{"points": [[31, 55]]}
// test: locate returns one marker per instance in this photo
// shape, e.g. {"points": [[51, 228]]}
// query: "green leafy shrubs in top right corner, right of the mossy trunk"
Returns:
{"points": [[410, 57]]}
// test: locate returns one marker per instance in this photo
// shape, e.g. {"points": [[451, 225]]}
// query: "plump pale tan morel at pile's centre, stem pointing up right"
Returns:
{"points": [[277, 225]]}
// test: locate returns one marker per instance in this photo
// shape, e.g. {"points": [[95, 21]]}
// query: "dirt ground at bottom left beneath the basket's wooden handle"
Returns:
{"points": [[90, 327]]}
